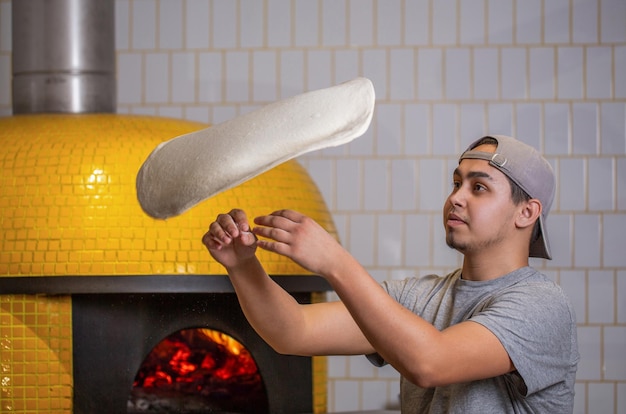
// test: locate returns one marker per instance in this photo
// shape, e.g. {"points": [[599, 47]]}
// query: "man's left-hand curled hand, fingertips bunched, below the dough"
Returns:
{"points": [[230, 240]]}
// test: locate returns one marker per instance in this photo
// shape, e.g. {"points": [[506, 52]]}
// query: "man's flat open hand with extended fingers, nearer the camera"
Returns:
{"points": [[299, 238]]}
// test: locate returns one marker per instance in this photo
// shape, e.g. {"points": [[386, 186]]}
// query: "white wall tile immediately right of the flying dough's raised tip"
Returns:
{"points": [[388, 129]]}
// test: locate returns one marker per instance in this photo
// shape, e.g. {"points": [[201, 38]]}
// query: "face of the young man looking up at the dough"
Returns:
{"points": [[479, 212]]}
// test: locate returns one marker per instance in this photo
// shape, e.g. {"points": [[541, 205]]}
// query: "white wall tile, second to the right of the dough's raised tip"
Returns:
{"points": [[416, 129]]}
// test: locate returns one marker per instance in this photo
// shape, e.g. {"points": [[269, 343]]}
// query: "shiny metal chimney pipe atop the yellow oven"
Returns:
{"points": [[63, 56]]}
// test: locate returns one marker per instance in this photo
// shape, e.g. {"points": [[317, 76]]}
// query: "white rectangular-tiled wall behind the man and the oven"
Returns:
{"points": [[550, 72]]}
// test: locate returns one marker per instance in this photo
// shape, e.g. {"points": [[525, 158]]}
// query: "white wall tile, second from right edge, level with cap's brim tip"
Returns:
{"points": [[586, 240]]}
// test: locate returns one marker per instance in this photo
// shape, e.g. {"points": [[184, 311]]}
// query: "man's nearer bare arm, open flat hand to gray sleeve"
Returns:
{"points": [[421, 353]]}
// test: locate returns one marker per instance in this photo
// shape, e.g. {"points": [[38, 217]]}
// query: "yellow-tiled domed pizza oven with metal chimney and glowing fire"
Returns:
{"points": [[93, 291]]}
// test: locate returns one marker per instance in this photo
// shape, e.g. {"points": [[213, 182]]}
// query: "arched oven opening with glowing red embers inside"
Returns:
{"points": [[198, 370]]}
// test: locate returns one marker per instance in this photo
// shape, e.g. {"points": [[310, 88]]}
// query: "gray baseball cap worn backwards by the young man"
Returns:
{"points": [[527, 168]]}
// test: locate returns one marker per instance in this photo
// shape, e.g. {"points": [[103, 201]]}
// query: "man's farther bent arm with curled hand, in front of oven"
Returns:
{"points": [[286, 325]]}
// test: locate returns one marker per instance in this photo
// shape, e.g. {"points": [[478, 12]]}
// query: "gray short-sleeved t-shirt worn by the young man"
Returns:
{"points": [[532, 318]]}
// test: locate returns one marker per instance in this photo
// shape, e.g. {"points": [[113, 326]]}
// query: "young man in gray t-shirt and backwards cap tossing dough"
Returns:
{"points": [[495, 336]]}
